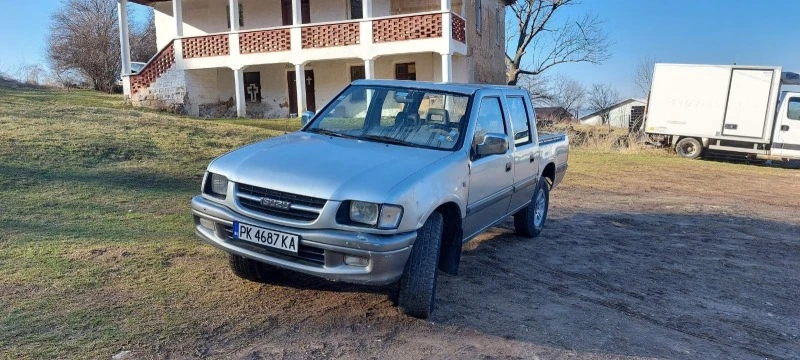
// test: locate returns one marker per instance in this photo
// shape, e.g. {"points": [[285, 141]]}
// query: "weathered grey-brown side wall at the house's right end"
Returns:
{"points": [[486, 55]]}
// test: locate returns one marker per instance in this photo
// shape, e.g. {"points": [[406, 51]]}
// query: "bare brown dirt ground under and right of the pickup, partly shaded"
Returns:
{"points": [[694, 261]]}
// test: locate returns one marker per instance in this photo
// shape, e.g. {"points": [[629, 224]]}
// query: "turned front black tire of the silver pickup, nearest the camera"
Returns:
{"points": [[417, 288]]}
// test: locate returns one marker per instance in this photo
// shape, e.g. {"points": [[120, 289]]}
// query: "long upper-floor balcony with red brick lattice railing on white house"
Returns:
{"points": [[439, 32]]}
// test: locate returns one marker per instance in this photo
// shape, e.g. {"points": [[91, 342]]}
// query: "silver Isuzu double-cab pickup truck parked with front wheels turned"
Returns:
{"points": [[383, 185]]}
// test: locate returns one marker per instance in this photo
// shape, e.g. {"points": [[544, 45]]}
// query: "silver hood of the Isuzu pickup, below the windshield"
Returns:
{"points": [[325, 167]]}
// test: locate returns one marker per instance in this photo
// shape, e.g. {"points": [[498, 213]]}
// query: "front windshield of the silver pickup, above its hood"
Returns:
{"points": [[395, 115]]}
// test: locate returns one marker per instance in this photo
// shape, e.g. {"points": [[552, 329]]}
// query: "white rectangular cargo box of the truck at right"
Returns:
{"points": [[714, 101]]}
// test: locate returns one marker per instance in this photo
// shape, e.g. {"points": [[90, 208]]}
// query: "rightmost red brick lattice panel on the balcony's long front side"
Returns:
{"points": [[407, 28]]}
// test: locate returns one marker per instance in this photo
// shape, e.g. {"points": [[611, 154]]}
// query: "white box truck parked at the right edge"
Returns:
{"points": [[726, 108]]}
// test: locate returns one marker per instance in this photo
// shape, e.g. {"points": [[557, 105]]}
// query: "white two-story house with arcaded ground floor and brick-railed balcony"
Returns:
{"points": [[276, 58]]}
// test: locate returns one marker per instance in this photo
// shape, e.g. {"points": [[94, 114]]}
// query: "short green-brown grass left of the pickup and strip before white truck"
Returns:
{"points": [[97, 251]]}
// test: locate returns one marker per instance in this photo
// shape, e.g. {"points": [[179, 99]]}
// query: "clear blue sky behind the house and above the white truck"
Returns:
{"points": [[689, 31]]}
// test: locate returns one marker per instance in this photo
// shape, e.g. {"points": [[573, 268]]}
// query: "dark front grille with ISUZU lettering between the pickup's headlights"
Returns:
{"points": [[292, 213]]}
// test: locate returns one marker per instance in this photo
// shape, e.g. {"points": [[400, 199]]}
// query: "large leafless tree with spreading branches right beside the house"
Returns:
{"points": [[551, 42]]}
